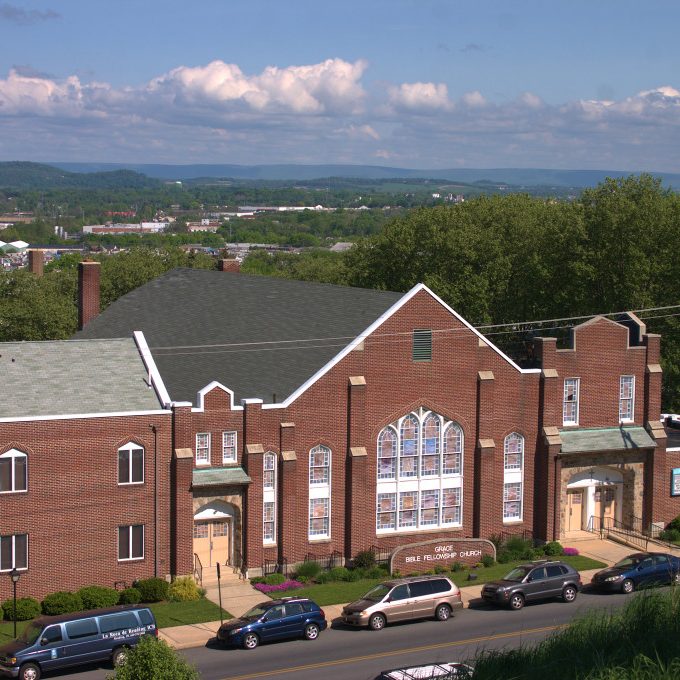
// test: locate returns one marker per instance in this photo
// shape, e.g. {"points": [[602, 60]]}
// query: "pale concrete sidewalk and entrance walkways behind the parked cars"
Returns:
{"points": [[238, 597]]}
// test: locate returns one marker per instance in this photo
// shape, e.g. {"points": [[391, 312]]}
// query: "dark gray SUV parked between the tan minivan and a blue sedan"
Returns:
{"points": [[537, 580]]}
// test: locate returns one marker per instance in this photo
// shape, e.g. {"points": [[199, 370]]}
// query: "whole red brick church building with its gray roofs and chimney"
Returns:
{"points": [[213, 416]]}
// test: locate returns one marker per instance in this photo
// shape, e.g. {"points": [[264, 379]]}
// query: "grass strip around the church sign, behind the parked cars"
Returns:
{"points": [[339, 592]]}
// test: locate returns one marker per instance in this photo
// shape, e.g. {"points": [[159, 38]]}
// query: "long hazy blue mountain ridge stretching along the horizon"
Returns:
{"points": [[577, 179]]}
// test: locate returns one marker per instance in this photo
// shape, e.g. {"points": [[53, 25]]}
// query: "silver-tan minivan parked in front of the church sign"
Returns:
{"points": [[417, 597]]}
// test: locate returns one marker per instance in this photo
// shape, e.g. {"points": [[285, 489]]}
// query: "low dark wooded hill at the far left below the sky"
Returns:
{"points": [[24, 175]]}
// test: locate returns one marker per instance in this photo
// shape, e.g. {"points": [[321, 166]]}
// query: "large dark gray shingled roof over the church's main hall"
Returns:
{"points": [[236, 329]]}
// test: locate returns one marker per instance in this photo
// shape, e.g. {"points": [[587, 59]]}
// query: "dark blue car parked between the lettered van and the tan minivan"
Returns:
{"points": [[289, 617]]}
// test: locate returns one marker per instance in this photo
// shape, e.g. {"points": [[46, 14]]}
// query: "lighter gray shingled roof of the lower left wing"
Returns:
{"points": [[68, 377]]}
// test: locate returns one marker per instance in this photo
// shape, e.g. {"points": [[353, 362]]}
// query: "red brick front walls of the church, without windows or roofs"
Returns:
{"points": [[74, 504]]}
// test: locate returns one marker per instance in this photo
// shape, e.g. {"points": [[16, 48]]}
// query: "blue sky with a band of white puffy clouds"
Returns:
{"points": [[423, 84]]}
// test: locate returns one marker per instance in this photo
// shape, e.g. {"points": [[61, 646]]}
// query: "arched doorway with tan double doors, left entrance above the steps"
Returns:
{"points": [[214, 533]]}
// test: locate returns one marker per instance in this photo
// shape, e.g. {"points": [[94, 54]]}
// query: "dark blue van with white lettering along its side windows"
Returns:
{"points": [[56, 642]]}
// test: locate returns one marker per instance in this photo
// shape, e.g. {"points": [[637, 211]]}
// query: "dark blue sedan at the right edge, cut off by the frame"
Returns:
{"points": [[637, 571]]}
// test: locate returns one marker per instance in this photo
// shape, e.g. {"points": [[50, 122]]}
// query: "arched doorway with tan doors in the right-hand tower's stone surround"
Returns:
{"points": [[594, 499]]}
